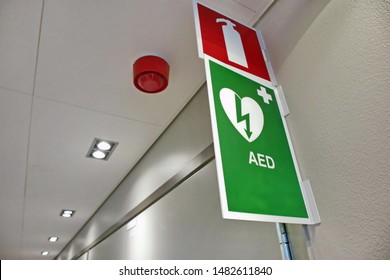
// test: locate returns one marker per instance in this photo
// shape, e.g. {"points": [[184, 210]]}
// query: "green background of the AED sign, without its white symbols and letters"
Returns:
{"points": [[251, 188]]}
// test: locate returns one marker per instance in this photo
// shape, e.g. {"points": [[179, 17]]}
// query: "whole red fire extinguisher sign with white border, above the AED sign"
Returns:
{"points": [[230, 42]]}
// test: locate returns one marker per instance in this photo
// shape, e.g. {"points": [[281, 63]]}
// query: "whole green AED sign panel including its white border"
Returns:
{"points": [[256, 169]]}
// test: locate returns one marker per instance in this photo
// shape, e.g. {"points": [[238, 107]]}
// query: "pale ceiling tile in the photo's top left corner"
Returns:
{"points": [[19, 32]]}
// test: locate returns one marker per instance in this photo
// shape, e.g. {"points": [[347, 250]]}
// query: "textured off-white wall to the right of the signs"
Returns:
{"points": [[337, 85]]}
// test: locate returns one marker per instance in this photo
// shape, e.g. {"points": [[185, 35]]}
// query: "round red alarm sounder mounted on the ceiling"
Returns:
{"points": [[150, 74]]}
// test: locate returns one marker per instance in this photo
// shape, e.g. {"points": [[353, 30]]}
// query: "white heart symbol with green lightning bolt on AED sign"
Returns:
{"points": [[244, 113]]}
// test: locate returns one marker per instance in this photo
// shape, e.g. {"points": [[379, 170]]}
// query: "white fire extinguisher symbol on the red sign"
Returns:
{"points": [[233, 42]]}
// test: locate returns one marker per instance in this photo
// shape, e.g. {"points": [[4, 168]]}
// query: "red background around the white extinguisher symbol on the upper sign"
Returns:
{"points": [[213, 42]]}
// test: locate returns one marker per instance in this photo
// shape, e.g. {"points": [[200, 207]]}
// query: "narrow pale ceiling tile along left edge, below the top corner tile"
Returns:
{"points": [[14, 126]]}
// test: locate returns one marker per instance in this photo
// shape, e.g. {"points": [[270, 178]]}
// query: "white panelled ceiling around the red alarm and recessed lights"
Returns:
{"points": [[66, 78]]}
